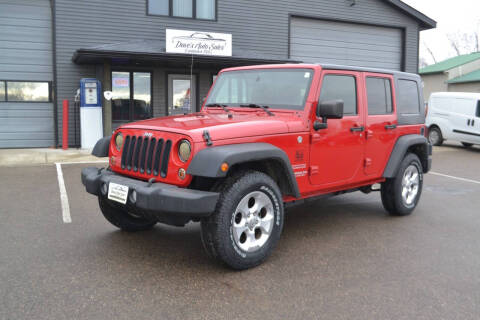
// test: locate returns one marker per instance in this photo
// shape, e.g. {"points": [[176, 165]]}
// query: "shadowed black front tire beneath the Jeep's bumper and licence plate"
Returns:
{"points": [[120, 218]]}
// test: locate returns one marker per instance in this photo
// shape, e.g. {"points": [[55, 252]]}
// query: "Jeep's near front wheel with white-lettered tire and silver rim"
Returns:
{"points": [[247, 222]]}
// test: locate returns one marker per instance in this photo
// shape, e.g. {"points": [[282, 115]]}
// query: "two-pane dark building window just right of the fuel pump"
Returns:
{"points": [[132, 97]]}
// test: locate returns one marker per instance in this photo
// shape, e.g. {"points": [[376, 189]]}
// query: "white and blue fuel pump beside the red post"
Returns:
{"points": [[91, 118]]}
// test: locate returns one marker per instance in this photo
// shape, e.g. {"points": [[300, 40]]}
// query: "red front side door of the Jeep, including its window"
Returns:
{"points": [[337, 152]]}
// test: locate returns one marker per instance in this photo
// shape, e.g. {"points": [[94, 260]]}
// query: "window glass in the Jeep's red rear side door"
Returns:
{"points": [[379, 95]]}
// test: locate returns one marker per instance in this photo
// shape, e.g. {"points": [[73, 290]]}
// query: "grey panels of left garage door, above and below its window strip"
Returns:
{"points": [[26, 55]]}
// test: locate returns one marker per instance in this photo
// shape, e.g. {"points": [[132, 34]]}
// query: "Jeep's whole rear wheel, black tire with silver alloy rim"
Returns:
{"points": [[401, 194]]}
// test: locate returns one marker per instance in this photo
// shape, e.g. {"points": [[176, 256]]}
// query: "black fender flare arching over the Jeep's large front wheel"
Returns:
{"points": [[207, 162]]}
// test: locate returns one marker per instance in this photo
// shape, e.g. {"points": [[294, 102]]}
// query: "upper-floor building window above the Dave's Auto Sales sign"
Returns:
{"points": [[196, 9]]}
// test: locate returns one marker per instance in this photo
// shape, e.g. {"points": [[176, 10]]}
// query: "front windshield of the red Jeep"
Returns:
{"points": [[275, 88]]}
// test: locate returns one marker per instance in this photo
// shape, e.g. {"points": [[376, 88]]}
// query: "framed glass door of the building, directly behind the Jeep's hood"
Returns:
{"points": [[181, 94]]}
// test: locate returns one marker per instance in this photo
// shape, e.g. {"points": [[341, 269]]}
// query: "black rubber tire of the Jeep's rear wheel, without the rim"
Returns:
{"points": [[391, 190]]}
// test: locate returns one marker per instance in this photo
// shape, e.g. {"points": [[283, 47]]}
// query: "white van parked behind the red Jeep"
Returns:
{"points": [[454, 116]]}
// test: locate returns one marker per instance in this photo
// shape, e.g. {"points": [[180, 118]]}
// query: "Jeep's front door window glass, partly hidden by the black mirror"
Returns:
{"points": [[340, 87]]}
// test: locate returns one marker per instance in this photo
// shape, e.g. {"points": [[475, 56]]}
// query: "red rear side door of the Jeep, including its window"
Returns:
{"points": [[381, 122]]}
